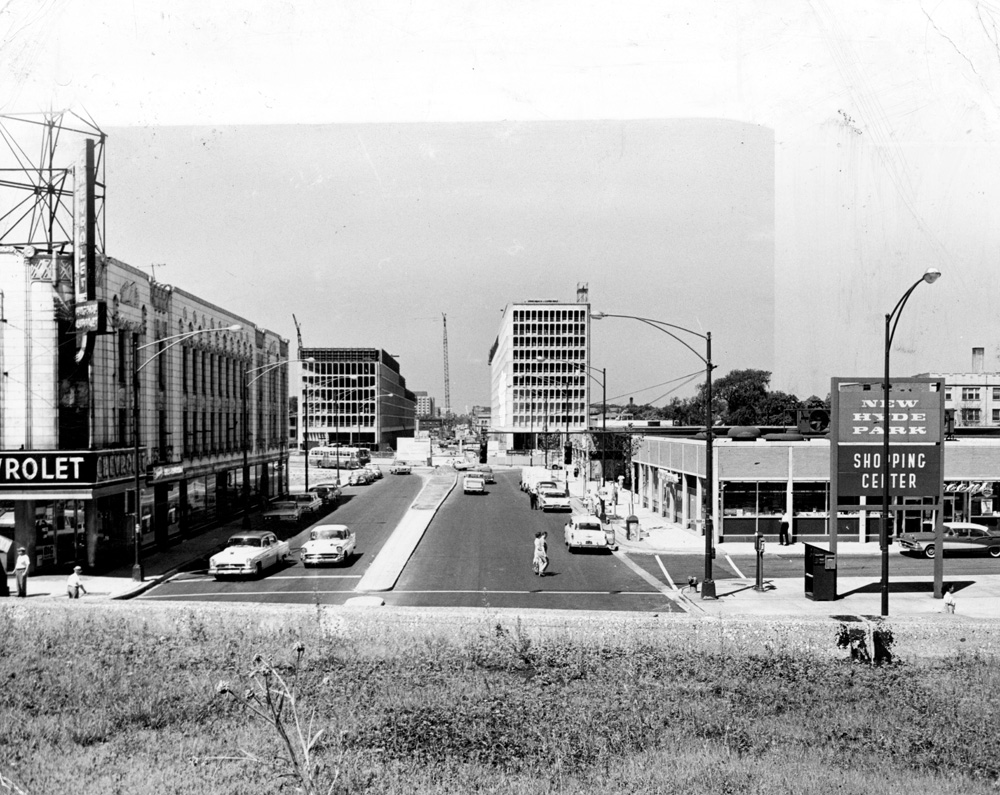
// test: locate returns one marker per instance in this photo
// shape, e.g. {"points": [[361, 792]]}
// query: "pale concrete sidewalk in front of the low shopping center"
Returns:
{"points": [[977, 597]]}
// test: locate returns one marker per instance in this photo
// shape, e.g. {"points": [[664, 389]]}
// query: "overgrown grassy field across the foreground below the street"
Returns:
{"points": [[124, 698]]}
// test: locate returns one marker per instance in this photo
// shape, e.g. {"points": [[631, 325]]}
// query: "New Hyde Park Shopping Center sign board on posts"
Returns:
{"points": [[861, 415]]}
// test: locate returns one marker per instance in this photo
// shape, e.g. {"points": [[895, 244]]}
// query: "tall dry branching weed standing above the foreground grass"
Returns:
{"points": [[274, 699]]}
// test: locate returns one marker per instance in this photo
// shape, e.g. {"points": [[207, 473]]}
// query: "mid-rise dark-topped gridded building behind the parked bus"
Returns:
{"points": [[356, 397]]}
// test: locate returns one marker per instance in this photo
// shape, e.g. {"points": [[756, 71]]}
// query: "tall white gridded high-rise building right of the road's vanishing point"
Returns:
{"points": [[539, 364]]}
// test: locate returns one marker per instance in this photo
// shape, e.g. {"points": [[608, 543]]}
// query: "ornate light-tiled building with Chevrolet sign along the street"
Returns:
{"points": [[75, 364]]}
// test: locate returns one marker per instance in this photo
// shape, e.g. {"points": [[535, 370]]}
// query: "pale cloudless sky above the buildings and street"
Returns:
{"points": [[776, 173]]}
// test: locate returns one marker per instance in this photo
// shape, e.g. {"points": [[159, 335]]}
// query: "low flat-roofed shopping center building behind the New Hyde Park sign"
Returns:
{"points": [[757, 481]]}
